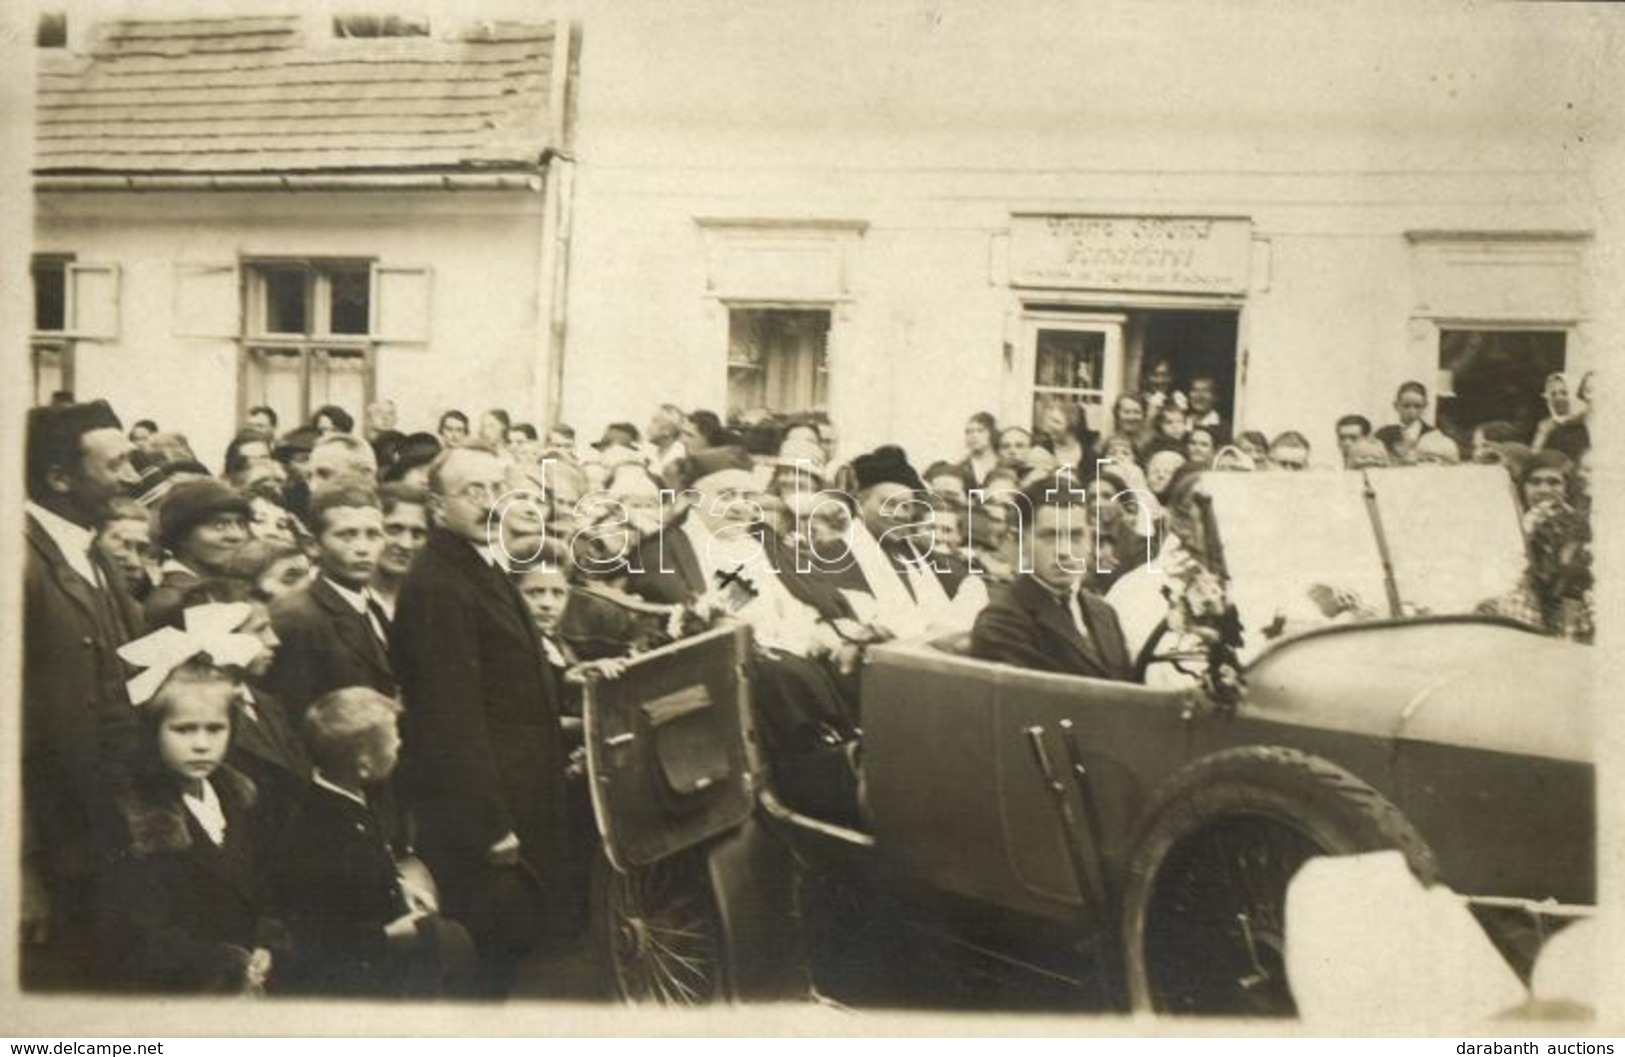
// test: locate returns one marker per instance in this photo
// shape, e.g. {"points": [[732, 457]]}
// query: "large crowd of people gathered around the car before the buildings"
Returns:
{"points": [[306, 721]]}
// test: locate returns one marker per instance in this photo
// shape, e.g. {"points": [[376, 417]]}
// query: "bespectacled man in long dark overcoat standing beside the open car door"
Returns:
{"points": [[483, 762]]}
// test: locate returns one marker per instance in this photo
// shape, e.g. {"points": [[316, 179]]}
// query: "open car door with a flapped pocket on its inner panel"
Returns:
{"points": [[667, 749]]}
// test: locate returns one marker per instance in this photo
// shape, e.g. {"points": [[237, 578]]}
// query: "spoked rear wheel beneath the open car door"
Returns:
{"points": [[662, 933]]}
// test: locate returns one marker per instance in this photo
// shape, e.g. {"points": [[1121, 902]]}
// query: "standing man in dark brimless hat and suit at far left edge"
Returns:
{"points": [[77, 716]]}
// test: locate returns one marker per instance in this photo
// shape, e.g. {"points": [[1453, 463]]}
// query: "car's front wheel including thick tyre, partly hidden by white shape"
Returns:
{"points": [[1205, 889]]}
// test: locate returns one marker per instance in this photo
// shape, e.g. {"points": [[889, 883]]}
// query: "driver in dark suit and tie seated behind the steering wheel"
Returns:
{"points": [[1046, 619]]}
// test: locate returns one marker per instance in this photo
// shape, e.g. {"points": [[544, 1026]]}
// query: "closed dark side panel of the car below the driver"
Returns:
{"points": [[955, 793]]}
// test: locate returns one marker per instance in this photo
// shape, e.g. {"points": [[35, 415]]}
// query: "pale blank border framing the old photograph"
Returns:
{"points": [[32, 1016]]}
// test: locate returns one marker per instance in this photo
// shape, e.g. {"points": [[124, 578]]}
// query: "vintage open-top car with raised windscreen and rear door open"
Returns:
{"points": [[1120, 843]]}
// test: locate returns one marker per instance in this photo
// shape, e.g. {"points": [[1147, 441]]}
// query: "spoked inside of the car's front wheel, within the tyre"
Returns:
{"points": [[1216, 926]]}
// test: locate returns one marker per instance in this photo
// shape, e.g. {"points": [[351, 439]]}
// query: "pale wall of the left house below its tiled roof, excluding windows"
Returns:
{"points": [[482, 250]]}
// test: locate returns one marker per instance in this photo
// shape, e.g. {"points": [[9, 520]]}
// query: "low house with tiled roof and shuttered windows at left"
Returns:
{"points": [[267, 211]]}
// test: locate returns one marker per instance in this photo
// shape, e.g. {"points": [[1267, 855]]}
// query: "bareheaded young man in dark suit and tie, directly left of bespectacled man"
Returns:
{"points": [[334, 632]]}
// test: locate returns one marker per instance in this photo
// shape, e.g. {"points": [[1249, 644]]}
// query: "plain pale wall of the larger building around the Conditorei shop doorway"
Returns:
{"points": [[1340, 136]]}
